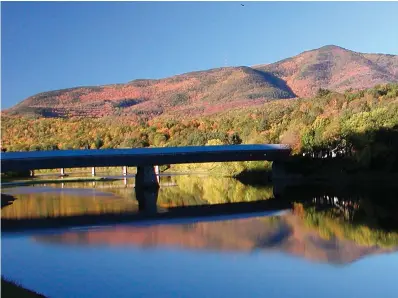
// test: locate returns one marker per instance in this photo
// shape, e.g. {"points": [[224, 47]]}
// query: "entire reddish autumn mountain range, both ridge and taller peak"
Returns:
{"points": [[220, 89]]}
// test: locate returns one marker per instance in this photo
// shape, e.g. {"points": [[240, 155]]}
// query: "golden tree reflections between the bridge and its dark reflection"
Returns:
{"points": [[119, 196]]}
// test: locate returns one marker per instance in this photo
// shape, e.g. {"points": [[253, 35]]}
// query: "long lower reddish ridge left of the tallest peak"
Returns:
{"points": [[193, 93]]}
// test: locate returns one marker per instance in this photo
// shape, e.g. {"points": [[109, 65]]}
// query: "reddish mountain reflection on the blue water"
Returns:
{"points": [[288, 234]]}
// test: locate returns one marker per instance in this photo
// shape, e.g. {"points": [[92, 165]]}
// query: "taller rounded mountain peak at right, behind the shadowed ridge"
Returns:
{"points": [[334, 68]]}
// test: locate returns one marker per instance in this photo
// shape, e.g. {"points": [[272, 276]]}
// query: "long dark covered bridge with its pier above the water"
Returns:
{"points": [[145, 159]]}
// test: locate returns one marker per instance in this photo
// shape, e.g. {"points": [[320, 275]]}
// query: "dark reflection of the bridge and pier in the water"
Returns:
{"points": [[148, 210]]}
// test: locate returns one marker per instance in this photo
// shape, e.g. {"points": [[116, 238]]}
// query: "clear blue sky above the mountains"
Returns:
{"points": [[47, 46]]}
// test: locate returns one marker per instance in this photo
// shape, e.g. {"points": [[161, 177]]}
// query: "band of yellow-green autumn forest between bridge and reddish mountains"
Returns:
{"points": [[364, 123]]}
